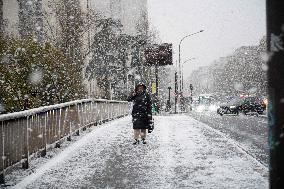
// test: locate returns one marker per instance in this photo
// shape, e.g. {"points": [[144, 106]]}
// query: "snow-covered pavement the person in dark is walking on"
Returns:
{"points": [[180, 153]]}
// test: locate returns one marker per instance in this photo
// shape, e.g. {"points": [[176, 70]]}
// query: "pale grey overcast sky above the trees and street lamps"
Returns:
{"points": [[227, 25]]}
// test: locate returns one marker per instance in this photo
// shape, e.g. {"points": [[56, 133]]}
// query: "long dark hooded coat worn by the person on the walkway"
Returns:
{"points": [[142, 110]]}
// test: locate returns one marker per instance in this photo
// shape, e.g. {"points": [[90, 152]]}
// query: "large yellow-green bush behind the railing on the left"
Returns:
{"points": [[34, 74]]}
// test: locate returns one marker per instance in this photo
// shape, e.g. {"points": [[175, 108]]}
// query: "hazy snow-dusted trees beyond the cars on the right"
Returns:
{"points": [[242, 72]]}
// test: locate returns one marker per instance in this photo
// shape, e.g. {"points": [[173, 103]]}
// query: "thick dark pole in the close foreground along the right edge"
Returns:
{"points": [[275, 46]]}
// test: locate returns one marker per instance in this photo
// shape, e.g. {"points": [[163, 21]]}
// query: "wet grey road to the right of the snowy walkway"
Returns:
{"points": [[250, 132]]}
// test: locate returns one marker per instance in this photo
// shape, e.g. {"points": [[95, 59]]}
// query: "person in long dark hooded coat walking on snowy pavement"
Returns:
{"points": [[141, 112]]}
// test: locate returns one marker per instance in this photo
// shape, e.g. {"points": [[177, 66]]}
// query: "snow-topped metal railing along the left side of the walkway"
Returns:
{"points": [[33, 131]]}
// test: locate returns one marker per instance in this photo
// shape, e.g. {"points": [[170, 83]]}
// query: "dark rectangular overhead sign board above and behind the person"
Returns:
{"points": [[160, 55]]}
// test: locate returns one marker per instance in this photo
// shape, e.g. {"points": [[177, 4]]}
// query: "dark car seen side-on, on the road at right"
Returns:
{"points": [[245, 105]]}
